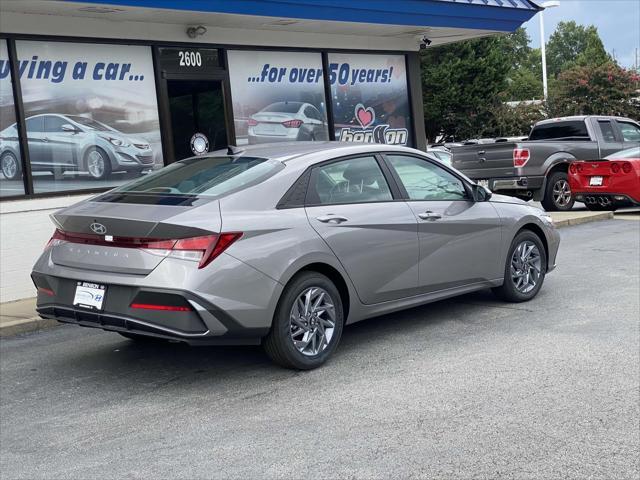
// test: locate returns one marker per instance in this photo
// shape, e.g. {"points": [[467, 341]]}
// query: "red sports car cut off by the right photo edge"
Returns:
{"points": [[607, 184]]}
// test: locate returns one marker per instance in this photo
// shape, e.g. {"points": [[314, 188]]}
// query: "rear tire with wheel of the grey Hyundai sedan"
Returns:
{"points": [[285, 343]]}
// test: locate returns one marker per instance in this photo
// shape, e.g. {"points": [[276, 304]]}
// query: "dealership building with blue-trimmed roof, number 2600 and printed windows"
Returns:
{"points": [[95, 93]]}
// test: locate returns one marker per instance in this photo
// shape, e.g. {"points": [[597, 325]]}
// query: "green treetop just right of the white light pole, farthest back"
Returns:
{"points": [[572, 44]]}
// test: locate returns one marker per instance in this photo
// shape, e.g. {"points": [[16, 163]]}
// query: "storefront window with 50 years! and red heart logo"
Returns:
{"points": [[370, 98]]}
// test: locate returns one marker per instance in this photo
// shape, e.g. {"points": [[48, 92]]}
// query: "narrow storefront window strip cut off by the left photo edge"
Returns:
{"points": [[11, 183]]}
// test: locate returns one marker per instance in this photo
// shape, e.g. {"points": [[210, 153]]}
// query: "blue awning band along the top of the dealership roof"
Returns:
{"points": [[486, 15]]}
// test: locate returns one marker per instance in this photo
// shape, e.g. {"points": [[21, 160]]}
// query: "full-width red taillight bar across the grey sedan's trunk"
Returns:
{"points": [[202, 249]]}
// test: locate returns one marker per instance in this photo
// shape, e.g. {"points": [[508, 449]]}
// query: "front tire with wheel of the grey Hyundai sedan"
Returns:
{"points": [[522, 281]]}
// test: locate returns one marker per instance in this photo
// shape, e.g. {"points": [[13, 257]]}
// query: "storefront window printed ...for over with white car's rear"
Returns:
{"points": [[277, 96]]}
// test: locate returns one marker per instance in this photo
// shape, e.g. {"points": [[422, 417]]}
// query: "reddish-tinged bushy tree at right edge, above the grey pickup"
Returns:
{"points": [[596, 90]]}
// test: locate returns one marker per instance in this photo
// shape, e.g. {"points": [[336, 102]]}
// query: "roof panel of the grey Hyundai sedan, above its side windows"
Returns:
{"points": [[286, 151]]}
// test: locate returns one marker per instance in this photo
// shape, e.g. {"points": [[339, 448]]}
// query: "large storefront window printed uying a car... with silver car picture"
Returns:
{"points": [[91, 114]]}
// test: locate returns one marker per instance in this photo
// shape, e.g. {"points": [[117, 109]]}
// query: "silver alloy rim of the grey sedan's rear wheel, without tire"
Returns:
{"points": [[312, 321]]}
